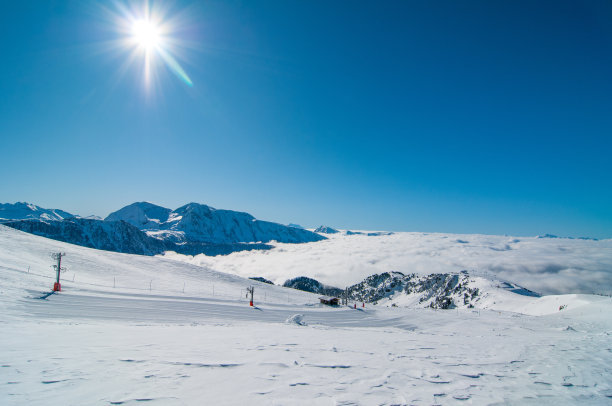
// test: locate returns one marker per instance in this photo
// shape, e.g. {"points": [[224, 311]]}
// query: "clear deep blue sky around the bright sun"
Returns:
{"points": [[452, 116]]}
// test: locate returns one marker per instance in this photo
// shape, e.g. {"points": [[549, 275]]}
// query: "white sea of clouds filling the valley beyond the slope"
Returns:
{"points": [[547, 266]]}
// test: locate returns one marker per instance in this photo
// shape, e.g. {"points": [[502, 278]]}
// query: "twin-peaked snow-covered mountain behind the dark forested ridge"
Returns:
{"points": [[195, 222]]}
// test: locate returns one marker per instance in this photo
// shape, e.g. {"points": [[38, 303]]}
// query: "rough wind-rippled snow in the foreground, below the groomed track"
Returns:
{"points": [[446, 358]]}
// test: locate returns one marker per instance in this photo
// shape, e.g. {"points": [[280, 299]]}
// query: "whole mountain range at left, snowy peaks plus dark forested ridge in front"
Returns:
{"points": [[148, 229]]}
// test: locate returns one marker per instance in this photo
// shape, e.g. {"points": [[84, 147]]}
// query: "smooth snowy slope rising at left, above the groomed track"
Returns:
{"points": [[101, 270]]}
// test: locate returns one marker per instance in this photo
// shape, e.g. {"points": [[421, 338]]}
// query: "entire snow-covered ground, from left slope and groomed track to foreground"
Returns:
{"points": [[144, 340]]}
